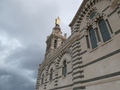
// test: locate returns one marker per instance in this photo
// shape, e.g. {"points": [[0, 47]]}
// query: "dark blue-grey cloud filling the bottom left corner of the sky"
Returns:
{"points": [[15, 82]]}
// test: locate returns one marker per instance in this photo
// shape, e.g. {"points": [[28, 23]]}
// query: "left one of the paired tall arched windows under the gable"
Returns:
{"points": [[93, 38]]}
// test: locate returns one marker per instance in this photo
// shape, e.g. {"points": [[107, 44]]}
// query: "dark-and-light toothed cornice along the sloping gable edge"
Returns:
{"points": [[83, 9]]}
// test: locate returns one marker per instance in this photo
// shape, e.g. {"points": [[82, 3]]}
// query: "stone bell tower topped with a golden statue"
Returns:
{"points": [[55, 39]]}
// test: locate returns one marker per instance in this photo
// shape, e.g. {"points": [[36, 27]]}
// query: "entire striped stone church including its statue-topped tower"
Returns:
{"points": [[89, 59]]}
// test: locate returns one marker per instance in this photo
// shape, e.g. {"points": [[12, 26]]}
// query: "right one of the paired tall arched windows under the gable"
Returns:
{"points": [[104, 30]]}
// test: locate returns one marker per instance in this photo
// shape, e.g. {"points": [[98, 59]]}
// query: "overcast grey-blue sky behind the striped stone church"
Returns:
{"points": [[24, 26]]}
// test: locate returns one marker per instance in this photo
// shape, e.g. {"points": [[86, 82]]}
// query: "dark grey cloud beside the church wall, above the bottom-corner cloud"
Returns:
{"points": [[27, 57]]}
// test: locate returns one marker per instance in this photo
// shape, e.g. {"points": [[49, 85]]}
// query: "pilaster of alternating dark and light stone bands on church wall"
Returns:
{"points": [[78, 73]]}
